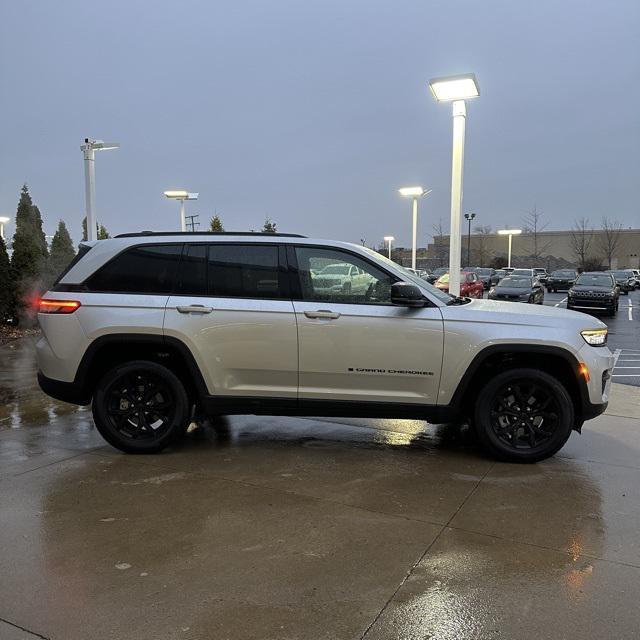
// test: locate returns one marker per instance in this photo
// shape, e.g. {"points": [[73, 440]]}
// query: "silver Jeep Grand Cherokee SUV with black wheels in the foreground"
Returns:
{"points": [[154, 328]]}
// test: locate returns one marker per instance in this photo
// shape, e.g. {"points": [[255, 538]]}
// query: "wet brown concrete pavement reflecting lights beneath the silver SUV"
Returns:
{"points": [[295, 528]]}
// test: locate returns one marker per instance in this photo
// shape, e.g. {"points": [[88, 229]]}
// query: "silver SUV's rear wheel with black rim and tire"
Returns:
{"points": [[126, 426]]}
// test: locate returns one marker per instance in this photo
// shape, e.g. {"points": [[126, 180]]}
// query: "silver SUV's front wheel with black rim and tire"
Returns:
{"points": [[511, 410]]}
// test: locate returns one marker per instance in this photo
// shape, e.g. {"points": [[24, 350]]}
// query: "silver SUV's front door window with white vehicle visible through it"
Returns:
{"points": [[328, 275]]}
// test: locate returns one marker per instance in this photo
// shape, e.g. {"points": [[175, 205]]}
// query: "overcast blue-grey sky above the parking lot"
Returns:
{"points": [[315, 112]]}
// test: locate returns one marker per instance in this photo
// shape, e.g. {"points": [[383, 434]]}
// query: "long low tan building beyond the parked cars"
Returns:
{"points": [[550, 249]]}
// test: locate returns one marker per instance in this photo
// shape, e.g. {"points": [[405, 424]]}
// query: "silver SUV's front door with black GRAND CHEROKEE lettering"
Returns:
{"points": [[357, 346]]}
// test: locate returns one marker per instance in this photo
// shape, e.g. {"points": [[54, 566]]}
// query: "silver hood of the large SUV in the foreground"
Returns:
{"points": [[510, 313]]}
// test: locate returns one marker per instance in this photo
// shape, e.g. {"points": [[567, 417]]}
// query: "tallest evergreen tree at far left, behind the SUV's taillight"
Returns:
{"points": [[29, 255]]}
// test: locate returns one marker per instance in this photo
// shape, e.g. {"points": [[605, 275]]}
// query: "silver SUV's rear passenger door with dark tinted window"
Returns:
{"points": [[233, 310]]}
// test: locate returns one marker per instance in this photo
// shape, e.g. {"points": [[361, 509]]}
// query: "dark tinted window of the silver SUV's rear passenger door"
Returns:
{"points": [[245, 271]]}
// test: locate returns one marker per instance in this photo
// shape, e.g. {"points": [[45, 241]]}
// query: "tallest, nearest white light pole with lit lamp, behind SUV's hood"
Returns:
{"points": [[456, 89]]}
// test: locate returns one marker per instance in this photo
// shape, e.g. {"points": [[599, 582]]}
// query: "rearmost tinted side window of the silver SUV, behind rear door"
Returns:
{"points": [[145, 269]]}
